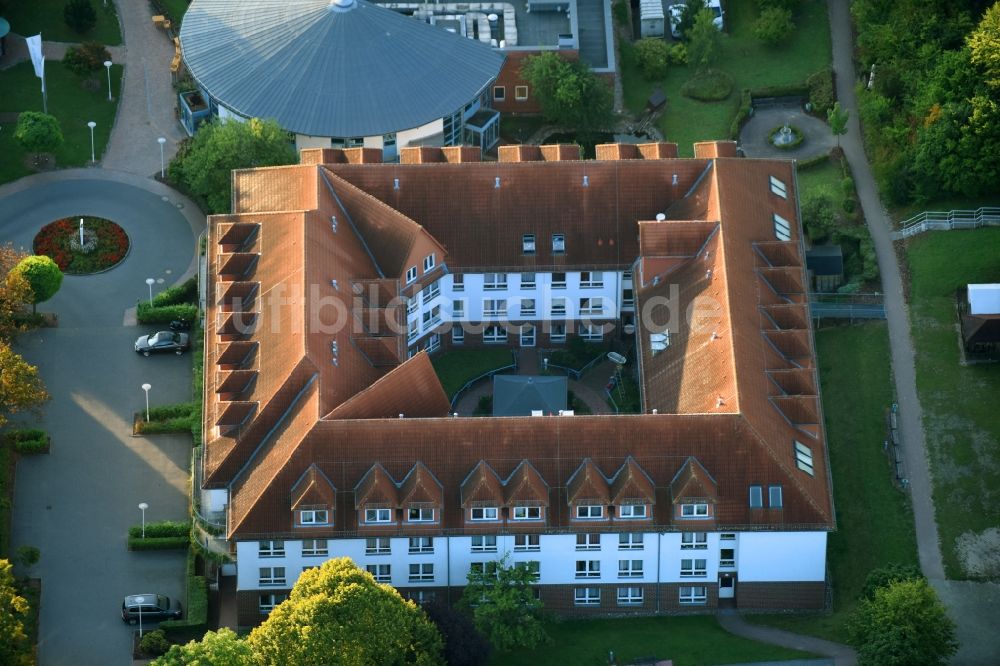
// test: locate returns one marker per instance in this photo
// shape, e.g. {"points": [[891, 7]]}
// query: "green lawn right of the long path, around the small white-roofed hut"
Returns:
{"points": [[959, 403]]}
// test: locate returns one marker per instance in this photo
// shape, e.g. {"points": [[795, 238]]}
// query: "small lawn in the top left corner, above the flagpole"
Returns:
{"points": [[29, 17]]}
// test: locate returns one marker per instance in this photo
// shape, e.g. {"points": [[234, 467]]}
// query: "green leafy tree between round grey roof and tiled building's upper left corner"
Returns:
{"points": [[205, 164]]}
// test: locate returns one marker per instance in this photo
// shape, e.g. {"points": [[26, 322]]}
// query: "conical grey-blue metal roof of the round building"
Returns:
{"points": [[345, 69]]}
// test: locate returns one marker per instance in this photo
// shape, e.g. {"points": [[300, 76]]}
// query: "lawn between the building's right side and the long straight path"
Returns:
{"points": [[856, 384]]}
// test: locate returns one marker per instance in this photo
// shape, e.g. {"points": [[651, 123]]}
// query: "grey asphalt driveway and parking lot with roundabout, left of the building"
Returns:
{"points": [[77, 503]]}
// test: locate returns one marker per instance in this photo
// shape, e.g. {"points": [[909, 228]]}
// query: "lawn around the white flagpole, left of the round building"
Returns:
{"points": [[69, 102]]}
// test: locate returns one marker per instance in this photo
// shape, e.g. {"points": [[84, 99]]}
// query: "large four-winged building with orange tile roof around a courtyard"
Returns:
{"points": [[328, 433]]}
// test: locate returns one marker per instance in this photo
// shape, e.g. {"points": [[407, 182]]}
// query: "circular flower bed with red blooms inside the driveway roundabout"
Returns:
{"points": [[105, 244]]}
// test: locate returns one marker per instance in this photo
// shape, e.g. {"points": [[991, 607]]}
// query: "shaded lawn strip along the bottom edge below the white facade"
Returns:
{"points": [[689, 641]]}
